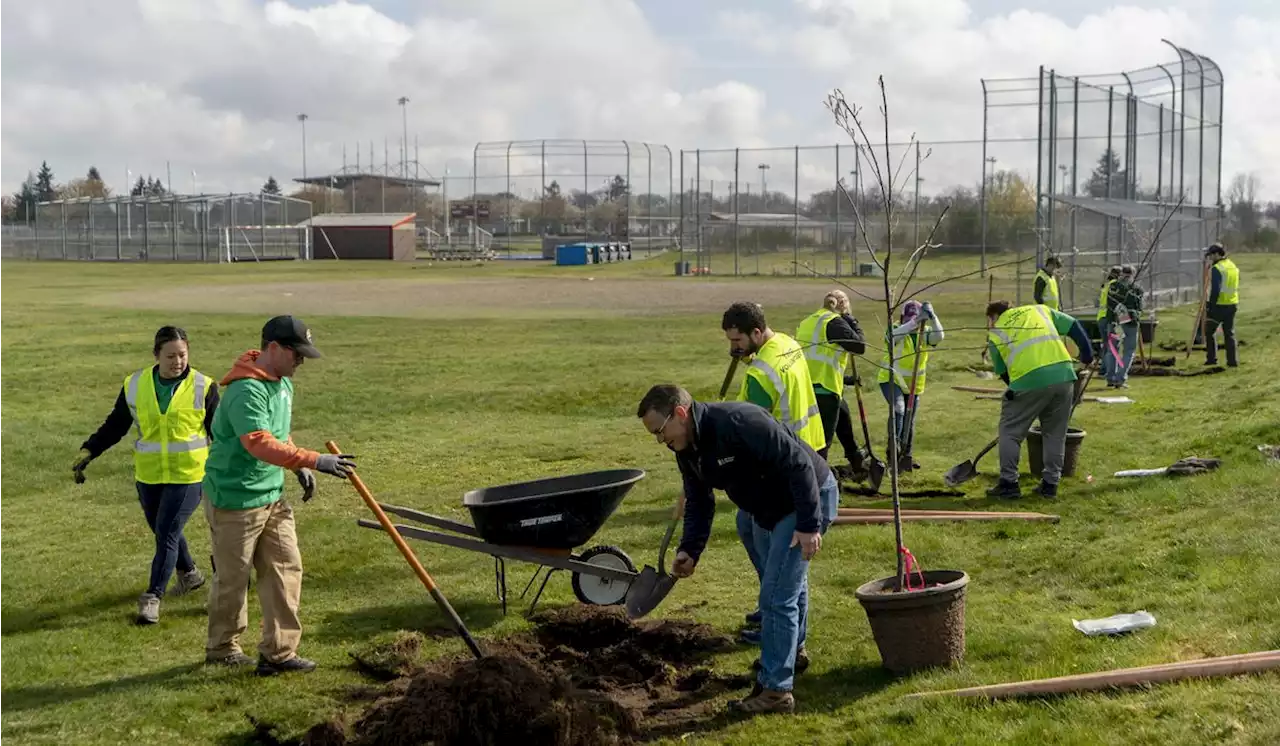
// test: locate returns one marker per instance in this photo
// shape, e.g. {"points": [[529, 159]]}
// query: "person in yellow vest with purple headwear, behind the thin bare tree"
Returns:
{"points": [[897, 381]]}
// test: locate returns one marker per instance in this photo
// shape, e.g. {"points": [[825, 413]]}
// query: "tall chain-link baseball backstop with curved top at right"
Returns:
{"points": [[1114, 155]]}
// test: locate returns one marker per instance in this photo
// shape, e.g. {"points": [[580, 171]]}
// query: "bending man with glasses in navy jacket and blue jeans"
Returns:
{"points": [[787, 488]]}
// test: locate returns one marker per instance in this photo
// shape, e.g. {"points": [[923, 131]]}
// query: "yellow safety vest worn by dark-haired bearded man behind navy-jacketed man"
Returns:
{"points": [[779, 368]]}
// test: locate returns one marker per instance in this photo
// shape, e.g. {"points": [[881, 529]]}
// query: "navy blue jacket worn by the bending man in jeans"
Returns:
{"points": [[761, 465]]}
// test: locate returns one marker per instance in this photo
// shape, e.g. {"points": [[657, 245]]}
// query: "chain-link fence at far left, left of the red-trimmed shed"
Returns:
{"points": [[167, 228]]}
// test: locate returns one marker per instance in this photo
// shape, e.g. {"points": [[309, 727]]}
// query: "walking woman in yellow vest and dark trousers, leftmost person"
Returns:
{"points": [[170, 408]]}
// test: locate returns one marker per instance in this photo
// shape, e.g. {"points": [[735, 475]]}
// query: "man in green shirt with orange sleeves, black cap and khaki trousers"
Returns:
{"points": [[250, 521]]}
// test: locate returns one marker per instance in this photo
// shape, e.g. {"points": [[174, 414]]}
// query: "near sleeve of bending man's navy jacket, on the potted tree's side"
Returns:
{"points": [[769, 443]]}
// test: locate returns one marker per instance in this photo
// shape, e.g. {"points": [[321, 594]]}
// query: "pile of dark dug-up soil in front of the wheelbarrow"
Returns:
{"points": [[586, 676]]}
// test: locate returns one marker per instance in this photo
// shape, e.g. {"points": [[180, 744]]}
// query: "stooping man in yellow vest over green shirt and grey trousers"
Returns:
{"points": [[1027, 353]]}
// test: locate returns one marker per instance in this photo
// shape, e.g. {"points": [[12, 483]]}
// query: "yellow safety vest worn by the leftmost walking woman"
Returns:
{"points": [[170, 448]]}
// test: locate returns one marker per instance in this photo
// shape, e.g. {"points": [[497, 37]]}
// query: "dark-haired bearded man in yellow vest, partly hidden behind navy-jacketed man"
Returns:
{"points": [[778, 379]]}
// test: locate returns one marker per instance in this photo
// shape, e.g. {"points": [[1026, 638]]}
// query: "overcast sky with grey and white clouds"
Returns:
{"points": [[216, 86]]}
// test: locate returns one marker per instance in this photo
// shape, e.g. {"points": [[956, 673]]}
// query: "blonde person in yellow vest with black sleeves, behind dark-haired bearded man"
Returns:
{"points": [[830, 336]]}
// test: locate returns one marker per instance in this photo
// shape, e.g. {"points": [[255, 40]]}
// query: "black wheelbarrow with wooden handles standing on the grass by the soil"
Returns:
{"points": [[543, 523]]}
